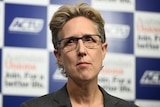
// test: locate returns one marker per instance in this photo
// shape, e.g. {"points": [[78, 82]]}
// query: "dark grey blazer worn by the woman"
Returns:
{"points": [[60, 98]]}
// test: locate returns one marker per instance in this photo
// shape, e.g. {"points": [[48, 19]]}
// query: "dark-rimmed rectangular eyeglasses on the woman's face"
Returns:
{"points": [[90, 41]]}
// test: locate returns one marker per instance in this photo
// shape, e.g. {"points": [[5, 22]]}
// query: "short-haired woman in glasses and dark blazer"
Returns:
{"points": [[79, 39]]}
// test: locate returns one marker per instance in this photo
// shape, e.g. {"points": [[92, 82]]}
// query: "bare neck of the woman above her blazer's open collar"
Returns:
{"points": [[84, 94]]}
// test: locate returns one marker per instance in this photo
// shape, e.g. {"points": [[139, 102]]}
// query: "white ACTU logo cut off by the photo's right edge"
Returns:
{"points": [[150, 78]]}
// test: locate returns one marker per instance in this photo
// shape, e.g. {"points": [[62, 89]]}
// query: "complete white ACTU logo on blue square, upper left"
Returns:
{"points": [[30, 25]]}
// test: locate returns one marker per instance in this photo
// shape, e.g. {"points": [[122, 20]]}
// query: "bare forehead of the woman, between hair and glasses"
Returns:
{"points": [[78, 26]]}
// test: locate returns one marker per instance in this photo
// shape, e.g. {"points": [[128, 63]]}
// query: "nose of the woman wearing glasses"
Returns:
{"points": [[81, 49]]}
